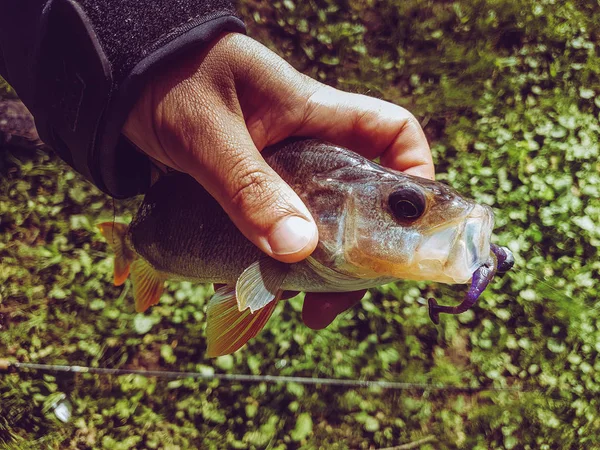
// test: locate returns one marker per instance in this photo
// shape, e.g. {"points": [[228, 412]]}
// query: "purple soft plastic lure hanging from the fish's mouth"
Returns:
{"points": [[501, 260]]}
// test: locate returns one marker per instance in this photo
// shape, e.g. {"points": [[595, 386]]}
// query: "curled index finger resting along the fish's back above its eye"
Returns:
{"points": [[369, 126]]}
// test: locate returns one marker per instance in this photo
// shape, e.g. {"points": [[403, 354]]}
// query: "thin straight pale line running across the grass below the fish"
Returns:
{"points": [[9, 366]]}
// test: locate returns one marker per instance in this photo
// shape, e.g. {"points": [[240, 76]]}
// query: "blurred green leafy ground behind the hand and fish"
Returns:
{"points": [[508, 94]]}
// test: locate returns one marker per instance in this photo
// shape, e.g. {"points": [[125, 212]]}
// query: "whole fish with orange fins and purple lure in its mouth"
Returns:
{"points": [[376, 225]]}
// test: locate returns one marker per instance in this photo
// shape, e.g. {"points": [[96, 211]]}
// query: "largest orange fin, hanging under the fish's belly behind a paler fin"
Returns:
{"points": [[228, 328]]}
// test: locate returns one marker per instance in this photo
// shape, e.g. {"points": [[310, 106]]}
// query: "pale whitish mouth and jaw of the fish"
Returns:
{"points": [[453, 253]]}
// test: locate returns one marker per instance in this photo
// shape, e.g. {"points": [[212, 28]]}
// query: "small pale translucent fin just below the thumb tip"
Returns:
{"points": [[260, 283]]}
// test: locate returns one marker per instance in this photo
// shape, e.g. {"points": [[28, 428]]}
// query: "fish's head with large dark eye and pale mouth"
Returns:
{"points": [[405, 227]]}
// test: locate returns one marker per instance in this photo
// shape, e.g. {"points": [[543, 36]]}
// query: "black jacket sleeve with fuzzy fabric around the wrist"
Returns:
{"points": [[79, 66]]}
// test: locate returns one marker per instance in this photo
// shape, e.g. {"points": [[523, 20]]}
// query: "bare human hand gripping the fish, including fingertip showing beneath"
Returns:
{"points": [[212, 114]]}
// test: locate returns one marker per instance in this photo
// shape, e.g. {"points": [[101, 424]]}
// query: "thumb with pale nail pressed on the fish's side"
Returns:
{"points": [[265, 209]]}
